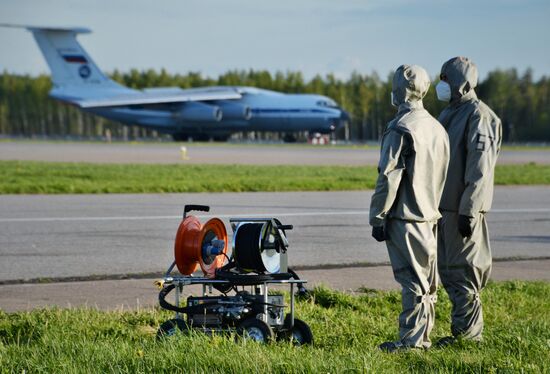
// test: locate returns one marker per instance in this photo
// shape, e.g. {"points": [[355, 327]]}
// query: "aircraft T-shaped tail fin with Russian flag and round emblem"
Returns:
{"points": [[70, 64]]}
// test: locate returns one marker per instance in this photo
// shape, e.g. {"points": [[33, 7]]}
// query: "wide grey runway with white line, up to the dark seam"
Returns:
{"points": [[82, 235]]}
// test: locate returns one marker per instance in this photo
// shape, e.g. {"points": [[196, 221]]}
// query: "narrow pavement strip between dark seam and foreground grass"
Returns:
{"points": [[141, 293]]}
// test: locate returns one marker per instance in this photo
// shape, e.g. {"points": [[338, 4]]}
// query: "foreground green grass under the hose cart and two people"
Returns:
{"points": [[347, 330]]}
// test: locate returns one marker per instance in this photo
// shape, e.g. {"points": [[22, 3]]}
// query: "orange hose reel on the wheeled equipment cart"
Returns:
{"points": [[200, 245]]}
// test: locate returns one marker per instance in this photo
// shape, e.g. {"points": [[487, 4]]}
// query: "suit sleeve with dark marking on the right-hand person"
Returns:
{"points": [[483, 145]]}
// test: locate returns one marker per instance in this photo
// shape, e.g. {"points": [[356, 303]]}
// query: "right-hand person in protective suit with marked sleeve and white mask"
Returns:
{"points": [[464, 253]]}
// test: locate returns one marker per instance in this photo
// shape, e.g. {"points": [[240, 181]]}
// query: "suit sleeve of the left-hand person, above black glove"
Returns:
{"points": [[390, 172]]}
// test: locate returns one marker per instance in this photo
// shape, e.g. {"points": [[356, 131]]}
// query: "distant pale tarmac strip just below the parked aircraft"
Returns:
{"points": [[216, 153]]}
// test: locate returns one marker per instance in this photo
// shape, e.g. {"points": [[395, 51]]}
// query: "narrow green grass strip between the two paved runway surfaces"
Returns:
{"points": [[31, 177]]}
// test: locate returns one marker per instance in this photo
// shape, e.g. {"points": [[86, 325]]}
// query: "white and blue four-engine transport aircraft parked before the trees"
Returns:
{"points": [[201, 113]]}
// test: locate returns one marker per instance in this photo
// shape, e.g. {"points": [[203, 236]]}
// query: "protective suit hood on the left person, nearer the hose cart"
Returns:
{"points": [[410, 84]]}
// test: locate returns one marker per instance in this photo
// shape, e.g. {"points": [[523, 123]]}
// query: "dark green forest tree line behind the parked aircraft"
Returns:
{"points": [[522, 102]]}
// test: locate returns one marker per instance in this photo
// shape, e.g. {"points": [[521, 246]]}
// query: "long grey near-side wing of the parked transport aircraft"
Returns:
{"points": [[161, 96]]}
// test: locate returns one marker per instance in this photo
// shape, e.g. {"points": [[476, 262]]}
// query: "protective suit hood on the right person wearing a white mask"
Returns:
{"points": [[461, 74]]}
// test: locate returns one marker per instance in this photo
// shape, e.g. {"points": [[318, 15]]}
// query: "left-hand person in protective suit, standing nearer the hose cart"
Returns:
{"points": [[404, 208]]}
